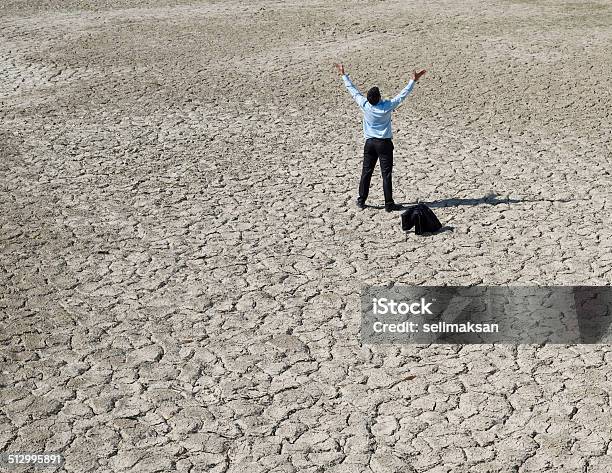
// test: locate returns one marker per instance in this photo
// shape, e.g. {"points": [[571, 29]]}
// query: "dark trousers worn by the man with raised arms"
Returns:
{"points": [[373, 150]]}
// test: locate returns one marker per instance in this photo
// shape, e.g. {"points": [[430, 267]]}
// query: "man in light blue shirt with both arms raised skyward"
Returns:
{"points": [[378, 134]]}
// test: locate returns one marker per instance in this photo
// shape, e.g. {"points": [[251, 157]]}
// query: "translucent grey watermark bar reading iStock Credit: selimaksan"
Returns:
{"points": [[486, 314]]}
